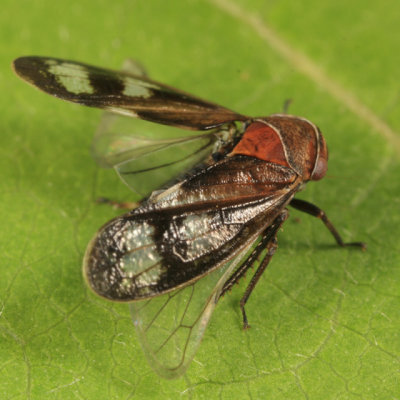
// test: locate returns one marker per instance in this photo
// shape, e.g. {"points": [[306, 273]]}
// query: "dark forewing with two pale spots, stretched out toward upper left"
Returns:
{"points": [[122, 93]]}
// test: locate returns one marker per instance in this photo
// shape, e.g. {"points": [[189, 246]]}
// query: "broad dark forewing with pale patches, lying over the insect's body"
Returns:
{"points": [[188, 230]]}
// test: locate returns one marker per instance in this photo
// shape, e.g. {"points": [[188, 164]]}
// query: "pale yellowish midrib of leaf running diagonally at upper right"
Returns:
{"points": [[309, 68]]}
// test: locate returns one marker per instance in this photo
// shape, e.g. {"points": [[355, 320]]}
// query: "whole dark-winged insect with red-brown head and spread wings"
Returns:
{"points": [[213, 200]]}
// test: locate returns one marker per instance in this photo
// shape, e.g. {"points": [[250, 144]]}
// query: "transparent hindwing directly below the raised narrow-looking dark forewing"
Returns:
{"points": [[147, 156]]}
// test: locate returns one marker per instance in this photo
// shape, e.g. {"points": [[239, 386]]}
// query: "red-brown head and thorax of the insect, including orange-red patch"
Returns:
{"points": [[286, 140]]}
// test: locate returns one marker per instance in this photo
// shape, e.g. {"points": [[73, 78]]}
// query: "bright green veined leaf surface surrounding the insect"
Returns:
{"points": [[325, 321]]}
